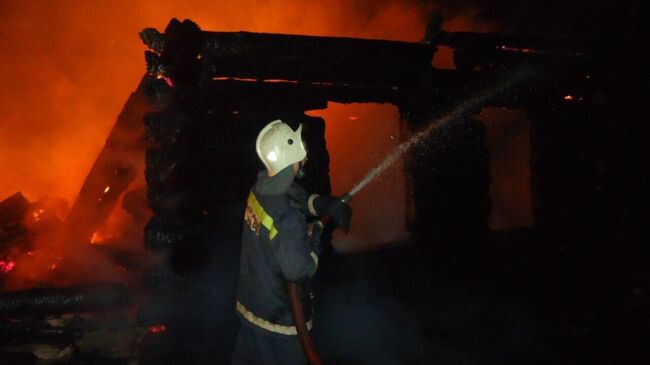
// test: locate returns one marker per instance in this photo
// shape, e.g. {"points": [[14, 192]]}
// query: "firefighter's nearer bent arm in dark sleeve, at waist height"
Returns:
{"points": [[296, 252]]}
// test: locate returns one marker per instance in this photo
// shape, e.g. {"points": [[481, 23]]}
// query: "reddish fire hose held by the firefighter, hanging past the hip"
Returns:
{"points": [[298, 312]]}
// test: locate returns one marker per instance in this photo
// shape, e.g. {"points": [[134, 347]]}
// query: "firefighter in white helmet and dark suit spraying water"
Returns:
{"points": [[279, 246]]}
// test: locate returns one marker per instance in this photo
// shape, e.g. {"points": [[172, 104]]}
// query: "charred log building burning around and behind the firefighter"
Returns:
{"points": [[189, 126]]}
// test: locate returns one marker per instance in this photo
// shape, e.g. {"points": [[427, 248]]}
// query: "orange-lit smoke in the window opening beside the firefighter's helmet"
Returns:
{"points": [[358, 137]]}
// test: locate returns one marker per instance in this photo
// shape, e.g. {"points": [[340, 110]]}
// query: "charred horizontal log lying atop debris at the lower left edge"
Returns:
{"points": [[91, 298]]}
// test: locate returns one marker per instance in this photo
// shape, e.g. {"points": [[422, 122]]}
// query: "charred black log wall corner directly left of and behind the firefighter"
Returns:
{"points": [[200, 165]]}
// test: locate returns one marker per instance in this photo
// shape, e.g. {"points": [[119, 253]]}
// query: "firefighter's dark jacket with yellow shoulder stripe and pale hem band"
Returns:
{"points": [[275, 249]]}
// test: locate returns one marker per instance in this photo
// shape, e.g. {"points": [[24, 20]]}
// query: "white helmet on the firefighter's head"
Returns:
{"points": [[279, 146]]}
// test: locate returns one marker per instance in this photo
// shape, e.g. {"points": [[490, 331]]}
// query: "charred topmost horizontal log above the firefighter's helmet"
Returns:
{"points": [[266, 56]]}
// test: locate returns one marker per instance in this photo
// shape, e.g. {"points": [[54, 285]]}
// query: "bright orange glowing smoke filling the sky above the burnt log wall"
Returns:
{"points": [[68, 67]]}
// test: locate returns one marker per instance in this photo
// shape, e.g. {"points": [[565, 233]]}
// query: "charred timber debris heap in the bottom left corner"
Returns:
{"points": [[45, 321]]}
